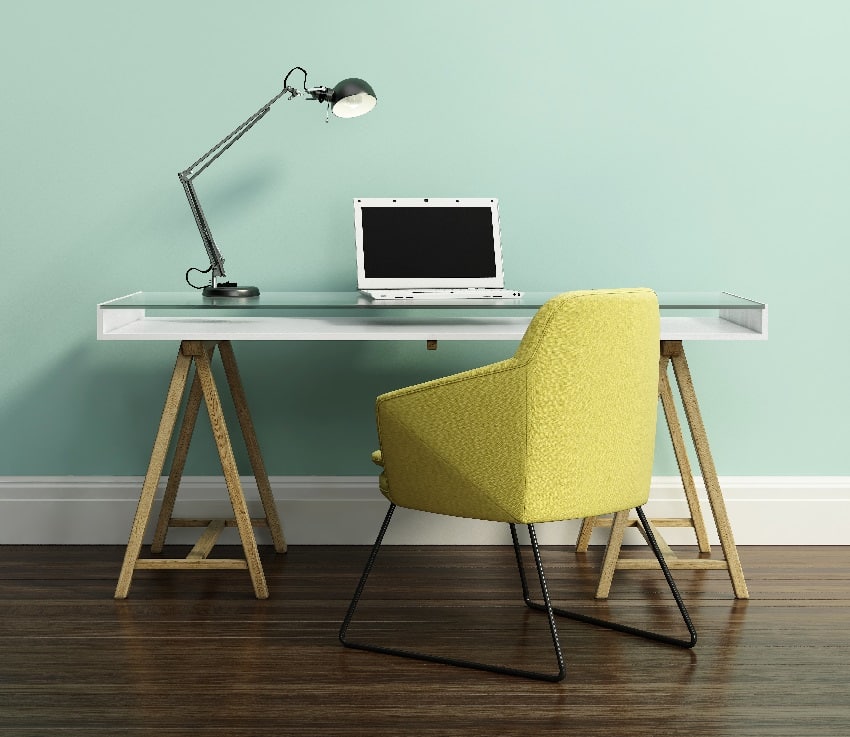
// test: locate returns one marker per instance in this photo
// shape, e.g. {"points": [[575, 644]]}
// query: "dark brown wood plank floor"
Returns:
{"points": [[195, 654]]}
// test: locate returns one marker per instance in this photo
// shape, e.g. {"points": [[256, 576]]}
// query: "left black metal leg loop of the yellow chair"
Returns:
{"points": [[546, 606]]}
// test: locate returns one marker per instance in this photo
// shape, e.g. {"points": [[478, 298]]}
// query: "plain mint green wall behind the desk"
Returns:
{"points": [[677, 145]]}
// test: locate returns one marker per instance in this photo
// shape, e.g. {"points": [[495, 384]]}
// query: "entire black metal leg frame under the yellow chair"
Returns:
{"points": [[546, 606]]}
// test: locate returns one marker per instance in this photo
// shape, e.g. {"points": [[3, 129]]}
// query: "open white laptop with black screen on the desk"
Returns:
{"points": [[429, 248]]}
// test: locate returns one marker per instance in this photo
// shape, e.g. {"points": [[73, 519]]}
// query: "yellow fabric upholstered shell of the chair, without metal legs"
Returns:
{"points": [[564, 429]]}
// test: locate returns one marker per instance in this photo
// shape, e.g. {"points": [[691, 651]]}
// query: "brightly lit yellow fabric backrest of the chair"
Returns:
{"points": [[591, 366]]}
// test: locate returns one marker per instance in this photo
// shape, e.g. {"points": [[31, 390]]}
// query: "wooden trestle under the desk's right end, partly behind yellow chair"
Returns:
{"points": [[673, 352]]}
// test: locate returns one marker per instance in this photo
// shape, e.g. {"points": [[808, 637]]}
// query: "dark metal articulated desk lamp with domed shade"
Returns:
{"points": [[348, 99]]}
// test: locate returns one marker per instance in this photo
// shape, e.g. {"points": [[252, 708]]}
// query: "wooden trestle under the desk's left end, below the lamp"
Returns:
{"points": [[203, 387]]}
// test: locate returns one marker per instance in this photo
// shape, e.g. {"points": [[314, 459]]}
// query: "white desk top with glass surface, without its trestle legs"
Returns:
{"points": [[350, 316]]}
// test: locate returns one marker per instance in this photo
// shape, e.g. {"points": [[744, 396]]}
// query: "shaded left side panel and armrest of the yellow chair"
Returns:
{"points": [[456, 445]]}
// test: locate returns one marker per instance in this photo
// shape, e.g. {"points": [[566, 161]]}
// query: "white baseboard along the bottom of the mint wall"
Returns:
{"points": [[317, 510]]}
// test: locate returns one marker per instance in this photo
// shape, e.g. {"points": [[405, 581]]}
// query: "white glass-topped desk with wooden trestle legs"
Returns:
{"points": [[203, 325]]}
